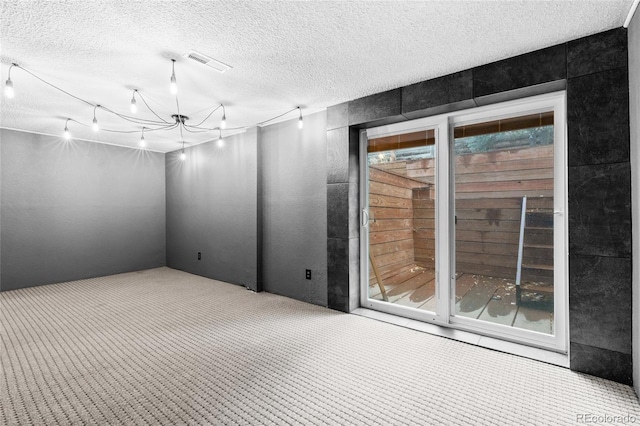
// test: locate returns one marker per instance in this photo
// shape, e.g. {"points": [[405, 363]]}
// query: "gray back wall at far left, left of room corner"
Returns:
{"points": [[74, 210]]}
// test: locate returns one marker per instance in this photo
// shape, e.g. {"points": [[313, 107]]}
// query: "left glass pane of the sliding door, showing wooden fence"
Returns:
{"points": [[402, 219]]}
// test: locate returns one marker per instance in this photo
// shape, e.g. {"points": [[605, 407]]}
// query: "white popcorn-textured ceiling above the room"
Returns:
{"points": [[283, 53]]}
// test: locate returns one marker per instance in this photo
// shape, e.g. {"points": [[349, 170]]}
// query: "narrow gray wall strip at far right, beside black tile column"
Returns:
{"points": [[634, 114]]}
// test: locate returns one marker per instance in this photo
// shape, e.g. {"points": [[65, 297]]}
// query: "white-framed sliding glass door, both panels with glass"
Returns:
{"points": [[463, 221]]}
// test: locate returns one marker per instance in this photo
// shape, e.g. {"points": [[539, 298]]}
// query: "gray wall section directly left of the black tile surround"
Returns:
{"points": [[294, 208]]}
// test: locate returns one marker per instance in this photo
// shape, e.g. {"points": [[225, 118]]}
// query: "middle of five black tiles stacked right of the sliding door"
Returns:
{"points": [[600, 210]]}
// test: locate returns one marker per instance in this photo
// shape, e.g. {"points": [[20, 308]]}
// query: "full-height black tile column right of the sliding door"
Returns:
{"points": [[599, 205]]}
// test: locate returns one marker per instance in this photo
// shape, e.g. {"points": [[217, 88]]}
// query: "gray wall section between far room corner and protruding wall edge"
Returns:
{"points": [[212, 209]]}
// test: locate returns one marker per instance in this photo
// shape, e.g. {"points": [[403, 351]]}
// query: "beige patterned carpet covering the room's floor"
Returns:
{"points": [[166, 347]]}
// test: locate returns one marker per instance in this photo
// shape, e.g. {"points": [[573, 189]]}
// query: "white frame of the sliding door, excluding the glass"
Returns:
{"points": [[445, 232]]}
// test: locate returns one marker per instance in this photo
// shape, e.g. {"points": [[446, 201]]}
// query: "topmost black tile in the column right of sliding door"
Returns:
{"points": [[598, 52]]}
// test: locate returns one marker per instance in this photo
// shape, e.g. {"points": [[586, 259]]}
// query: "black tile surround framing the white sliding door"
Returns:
{"points": [[594, 72]]}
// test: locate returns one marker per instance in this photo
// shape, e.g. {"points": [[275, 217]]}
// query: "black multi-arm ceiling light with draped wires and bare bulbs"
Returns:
{"points": [[149, 123]]}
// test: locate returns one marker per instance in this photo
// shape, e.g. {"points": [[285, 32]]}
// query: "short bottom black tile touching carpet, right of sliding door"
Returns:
{"points": [[602, 363]]}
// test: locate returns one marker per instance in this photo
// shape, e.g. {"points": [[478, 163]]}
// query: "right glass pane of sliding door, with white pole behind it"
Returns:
{"points": [[504, 222]]}
